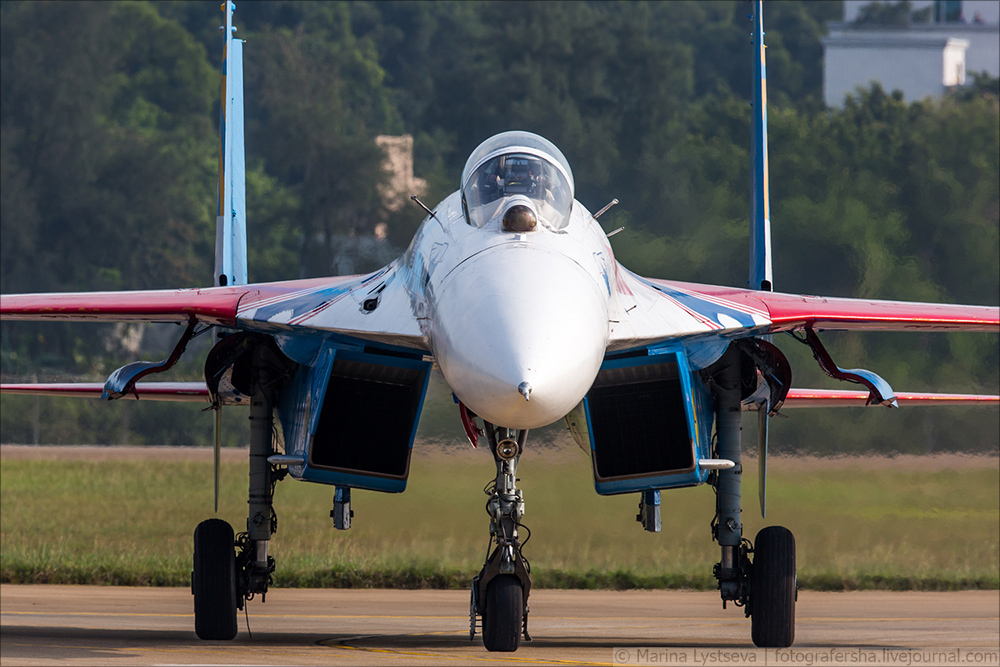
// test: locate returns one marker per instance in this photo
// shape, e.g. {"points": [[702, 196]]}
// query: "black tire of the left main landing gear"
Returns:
{"points": [[213, 581]]}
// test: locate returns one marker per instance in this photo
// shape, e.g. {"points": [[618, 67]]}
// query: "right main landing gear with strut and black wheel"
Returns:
{"points": [[766, 587]]}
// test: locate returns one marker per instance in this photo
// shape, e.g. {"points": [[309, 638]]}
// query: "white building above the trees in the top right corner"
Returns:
{"points": [[922, 49]]}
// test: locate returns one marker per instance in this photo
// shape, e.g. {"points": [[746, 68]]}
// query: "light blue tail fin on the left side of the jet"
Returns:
{"points": [[230, 221]]}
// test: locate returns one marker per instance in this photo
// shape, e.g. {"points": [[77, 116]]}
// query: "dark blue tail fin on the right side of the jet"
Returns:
{"points": [[760, 210]]}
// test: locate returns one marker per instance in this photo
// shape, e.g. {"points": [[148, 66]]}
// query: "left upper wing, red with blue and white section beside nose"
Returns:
{"points": [[336, 305]]}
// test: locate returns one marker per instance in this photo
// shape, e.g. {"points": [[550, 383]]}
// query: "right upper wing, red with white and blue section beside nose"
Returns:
{"points": [[655, 310]]}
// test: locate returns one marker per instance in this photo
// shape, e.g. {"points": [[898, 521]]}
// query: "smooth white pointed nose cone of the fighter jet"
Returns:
{"points": [[520, 334]]}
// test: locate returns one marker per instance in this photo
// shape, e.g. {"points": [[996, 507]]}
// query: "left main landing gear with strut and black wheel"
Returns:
{"points": [[228, 569]]}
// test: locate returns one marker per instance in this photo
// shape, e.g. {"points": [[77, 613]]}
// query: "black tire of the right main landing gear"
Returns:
{"points": [[772, 588]]}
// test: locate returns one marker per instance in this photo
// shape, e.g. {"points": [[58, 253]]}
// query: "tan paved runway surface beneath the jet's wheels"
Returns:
{"points": [[80, 625]]}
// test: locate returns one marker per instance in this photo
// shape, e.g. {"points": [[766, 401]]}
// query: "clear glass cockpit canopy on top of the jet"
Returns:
{"points": [[517, 169]]}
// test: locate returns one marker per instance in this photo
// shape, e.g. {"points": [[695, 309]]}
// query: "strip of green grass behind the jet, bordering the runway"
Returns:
{"points": [[130, 523]]}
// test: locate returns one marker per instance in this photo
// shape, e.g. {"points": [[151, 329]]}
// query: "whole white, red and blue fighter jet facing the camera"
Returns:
{"points": [[511, 288]]}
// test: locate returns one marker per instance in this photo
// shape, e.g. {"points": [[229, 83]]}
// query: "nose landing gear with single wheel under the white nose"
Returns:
{"points": [[500, 590]]}
